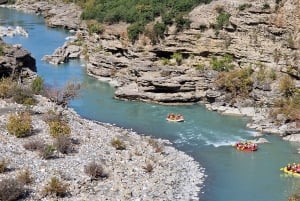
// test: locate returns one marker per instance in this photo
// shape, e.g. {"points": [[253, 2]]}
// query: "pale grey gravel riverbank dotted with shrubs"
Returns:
{"points": [[175, 175]]}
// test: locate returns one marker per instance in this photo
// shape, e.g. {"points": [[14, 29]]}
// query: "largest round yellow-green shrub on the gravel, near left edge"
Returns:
{"points": [[19, 124]]}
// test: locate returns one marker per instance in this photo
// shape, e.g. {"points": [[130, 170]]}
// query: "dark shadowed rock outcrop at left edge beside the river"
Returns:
{"points": [[16, 61]]}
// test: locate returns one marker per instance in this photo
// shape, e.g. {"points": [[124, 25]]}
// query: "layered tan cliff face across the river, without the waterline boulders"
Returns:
{"points": [[256, 36]]}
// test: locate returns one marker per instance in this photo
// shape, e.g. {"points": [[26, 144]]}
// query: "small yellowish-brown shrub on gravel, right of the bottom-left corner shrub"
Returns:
{"points": [[56, 187]]}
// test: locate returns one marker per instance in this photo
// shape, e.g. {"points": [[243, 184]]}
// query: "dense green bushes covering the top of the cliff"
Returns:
{"points": [[139, 12]]}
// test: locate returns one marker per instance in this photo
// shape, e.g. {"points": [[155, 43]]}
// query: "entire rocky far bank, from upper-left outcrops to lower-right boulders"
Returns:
{"points": [[263, 35]]}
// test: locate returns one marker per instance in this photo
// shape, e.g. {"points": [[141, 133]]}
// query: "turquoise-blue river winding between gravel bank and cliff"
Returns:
{"points": [[205, 135]]}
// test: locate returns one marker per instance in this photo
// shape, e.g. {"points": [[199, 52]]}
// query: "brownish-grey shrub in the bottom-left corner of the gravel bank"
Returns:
{"points": [[11, 189]]}
